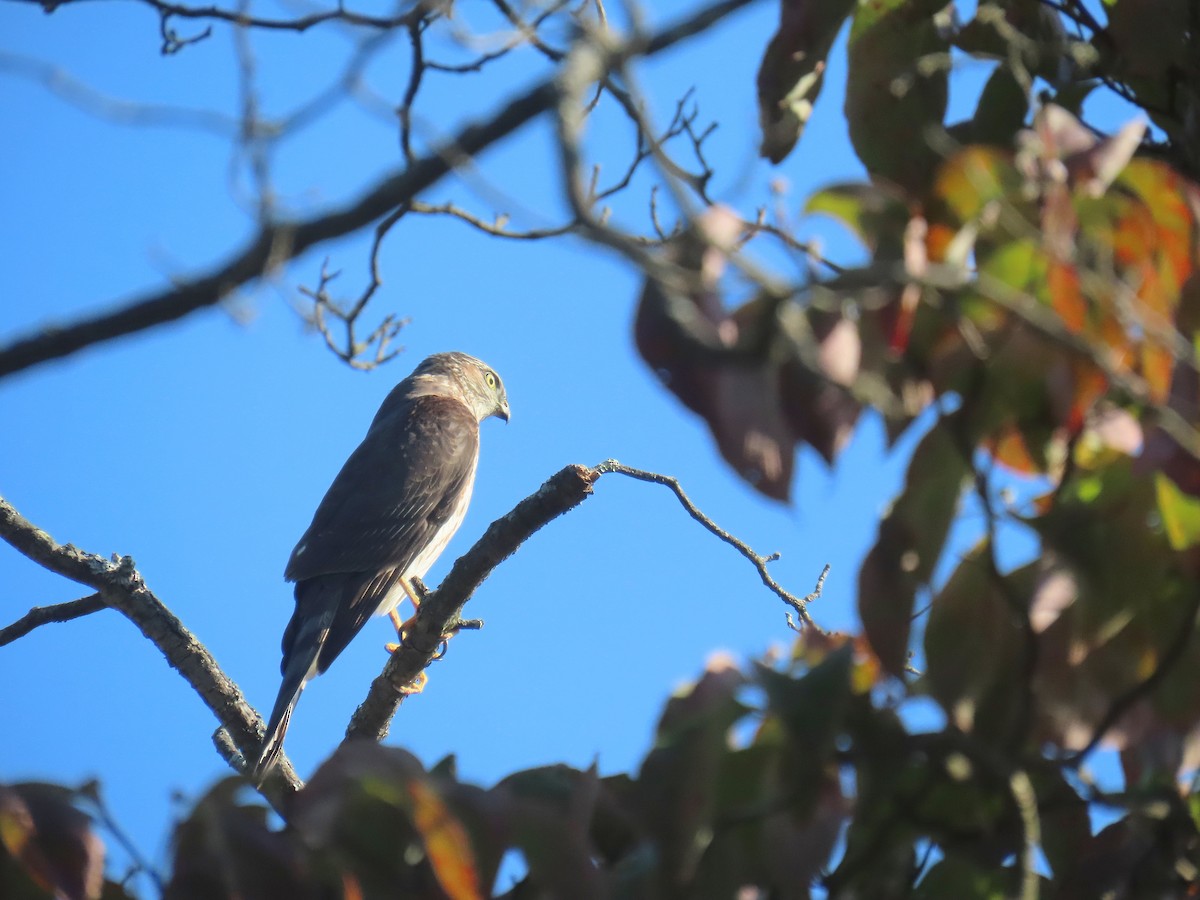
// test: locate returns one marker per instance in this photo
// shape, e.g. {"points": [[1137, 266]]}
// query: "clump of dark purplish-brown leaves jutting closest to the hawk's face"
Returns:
{"points": [[742, 371]]}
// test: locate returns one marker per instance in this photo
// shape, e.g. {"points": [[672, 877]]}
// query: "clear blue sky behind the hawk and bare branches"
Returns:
{"points": [[203, 448]]}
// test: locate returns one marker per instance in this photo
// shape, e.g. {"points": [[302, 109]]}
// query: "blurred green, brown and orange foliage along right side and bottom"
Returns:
{"points": [[1027, 293]]}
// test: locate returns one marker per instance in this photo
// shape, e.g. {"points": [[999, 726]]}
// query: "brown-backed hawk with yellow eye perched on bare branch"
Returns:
{"points": [[389, 514]]}
